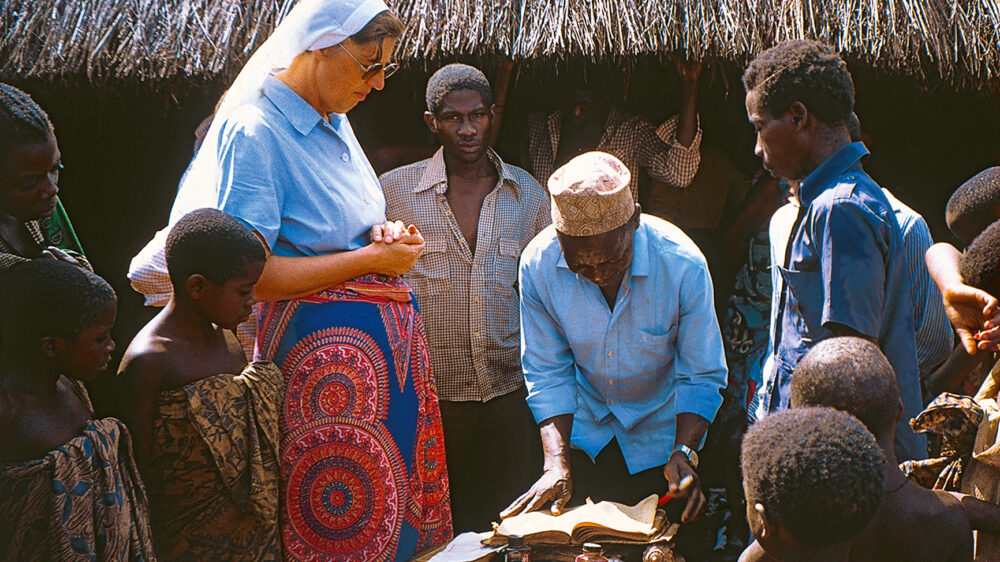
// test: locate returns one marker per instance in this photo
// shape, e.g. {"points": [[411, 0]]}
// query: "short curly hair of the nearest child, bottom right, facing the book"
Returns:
{"points": [[818, 471]]}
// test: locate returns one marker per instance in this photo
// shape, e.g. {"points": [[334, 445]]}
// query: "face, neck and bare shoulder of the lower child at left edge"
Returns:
{"points": [[39, 410]]}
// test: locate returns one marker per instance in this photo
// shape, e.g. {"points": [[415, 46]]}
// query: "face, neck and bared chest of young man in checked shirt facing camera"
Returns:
{"points": [[463, 124]]}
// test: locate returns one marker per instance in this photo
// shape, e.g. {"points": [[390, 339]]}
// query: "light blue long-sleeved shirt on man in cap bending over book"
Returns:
{"points": [[625, 373]]}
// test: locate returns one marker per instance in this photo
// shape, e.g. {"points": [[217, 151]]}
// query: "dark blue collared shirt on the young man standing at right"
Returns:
{"points": [[845, 264]]}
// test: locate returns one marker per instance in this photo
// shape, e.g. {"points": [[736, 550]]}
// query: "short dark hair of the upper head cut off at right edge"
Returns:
{"points": [[974, 205]]}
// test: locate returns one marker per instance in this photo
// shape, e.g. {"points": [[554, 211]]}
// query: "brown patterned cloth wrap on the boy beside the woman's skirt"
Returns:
{"points": [[213, 486]]}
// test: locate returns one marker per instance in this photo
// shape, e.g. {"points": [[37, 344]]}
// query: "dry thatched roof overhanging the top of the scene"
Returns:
{"points": [[955, 41]]}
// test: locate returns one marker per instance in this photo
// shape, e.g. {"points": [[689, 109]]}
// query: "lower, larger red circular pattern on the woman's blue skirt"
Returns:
{"points": [[343, 496]]}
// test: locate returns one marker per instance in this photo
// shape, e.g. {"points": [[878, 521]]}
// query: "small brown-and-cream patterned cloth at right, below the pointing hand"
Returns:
{"points": [[953, 420]]}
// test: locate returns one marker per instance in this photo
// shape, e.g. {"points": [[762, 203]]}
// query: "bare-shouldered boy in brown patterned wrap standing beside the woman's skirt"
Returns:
{"points": [[205, 423]]}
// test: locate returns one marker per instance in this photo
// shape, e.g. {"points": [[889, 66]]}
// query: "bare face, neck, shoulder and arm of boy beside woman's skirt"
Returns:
{"points": [[189, 340]]}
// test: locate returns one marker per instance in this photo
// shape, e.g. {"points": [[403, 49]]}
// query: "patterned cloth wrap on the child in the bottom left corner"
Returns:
{"points": [[82, 502]]}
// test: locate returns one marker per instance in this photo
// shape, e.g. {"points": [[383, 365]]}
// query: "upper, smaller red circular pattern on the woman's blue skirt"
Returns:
{"points": [[335, 372]]}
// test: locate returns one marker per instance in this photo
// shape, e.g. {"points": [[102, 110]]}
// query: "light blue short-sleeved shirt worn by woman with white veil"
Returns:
{"points": [[303, 183]]}
